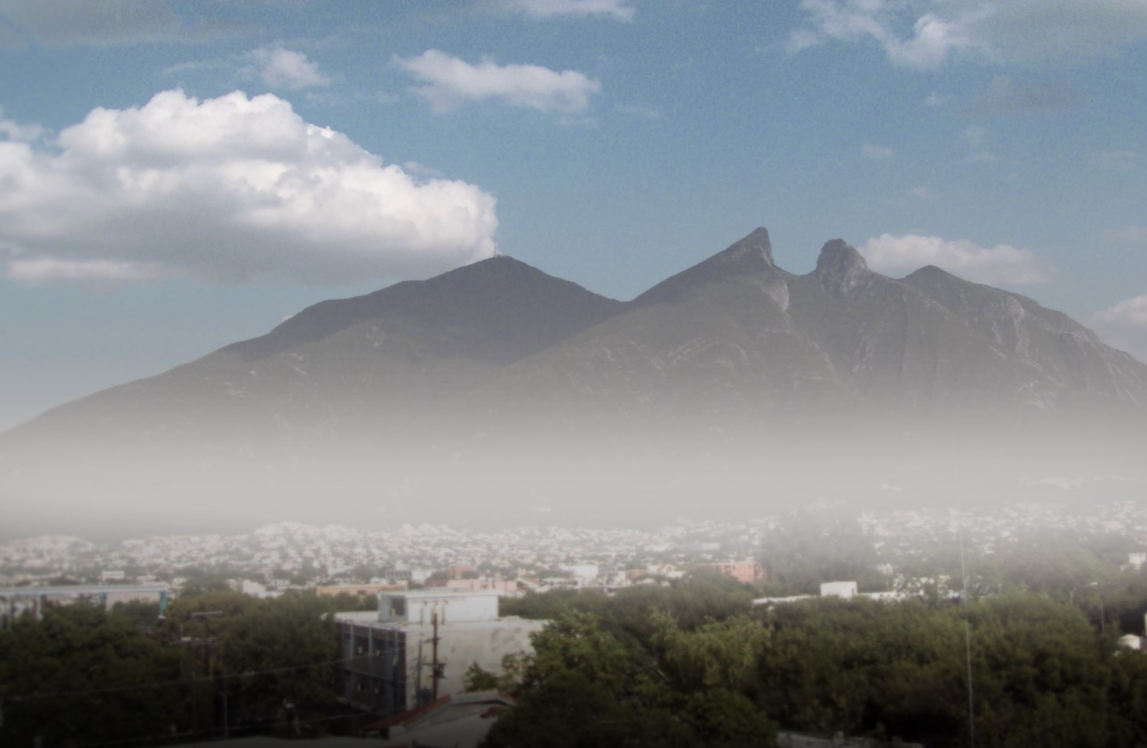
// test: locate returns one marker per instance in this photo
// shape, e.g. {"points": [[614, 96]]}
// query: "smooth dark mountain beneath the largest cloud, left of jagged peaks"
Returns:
{"points": [[411, 347]]}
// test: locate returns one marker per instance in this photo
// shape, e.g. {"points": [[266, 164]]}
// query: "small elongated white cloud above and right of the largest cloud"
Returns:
{"points": [[448, 83]]}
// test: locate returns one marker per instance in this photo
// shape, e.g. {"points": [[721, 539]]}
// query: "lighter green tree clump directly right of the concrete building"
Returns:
{"points": [[584, 687]]}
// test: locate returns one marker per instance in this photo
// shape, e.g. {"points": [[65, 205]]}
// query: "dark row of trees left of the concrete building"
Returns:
{"points": [[85, 676]]}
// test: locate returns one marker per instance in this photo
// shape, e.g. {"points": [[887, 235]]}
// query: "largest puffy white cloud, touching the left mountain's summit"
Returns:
{"points": [[231, 189]]}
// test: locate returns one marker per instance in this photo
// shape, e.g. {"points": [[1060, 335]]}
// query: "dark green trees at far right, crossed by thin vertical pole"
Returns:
{"points": [[1042, 676]]}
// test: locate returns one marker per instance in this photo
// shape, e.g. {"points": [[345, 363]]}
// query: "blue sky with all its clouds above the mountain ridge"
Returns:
{"points": [[178, 175]]}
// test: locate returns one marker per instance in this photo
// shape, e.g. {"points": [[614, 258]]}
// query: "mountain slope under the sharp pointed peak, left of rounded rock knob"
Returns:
{"points": [[714, 338]]}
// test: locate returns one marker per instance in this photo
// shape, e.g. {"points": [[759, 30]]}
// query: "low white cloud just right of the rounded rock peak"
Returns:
{"points": [[1000, 264]]}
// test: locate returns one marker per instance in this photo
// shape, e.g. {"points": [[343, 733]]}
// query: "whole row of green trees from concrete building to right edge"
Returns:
{"points": [[650, 668]]}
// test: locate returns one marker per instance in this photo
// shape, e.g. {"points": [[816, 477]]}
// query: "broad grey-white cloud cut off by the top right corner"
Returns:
{"points": [[927, 34]]}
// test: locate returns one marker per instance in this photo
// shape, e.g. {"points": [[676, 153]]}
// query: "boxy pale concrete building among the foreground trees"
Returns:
{"points": [[420, 644]]}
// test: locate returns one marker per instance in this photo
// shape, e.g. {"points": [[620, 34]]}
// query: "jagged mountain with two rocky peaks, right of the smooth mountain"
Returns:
{"points": [[736, 334]]}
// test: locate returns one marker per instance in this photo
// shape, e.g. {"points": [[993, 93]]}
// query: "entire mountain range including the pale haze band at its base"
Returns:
{"points": [[496, 391]]}
